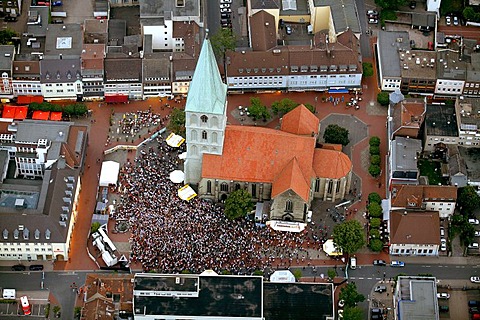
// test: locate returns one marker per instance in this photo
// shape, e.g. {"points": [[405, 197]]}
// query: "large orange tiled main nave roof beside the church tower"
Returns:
{"points": [[258, 154]]}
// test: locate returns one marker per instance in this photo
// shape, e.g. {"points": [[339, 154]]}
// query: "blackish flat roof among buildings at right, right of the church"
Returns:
{"points": [[440, 120]]}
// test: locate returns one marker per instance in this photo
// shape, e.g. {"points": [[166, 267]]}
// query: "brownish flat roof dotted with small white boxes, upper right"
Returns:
{"points": [[418, 64]]}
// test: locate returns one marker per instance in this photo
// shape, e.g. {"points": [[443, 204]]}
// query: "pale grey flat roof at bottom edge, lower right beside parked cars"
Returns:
{"points": [[417, 298]]}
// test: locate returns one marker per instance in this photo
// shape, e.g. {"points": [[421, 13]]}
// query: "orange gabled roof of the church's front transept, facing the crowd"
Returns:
{"points": [[291, 178]]}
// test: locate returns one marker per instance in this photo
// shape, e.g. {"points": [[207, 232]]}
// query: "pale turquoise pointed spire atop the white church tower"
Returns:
{"points": [[207, 93]]}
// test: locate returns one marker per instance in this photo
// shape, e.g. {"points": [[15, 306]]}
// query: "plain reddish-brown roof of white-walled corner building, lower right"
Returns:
{"points": [[414, 227]]}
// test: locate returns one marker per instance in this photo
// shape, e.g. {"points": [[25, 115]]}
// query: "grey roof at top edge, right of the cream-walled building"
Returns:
{"points": [[344, 13]]}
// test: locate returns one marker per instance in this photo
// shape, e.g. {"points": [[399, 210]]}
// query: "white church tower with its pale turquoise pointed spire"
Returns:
{"points": [[205, 113]]}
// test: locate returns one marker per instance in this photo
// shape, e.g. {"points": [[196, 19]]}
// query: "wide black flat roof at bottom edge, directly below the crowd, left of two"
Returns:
{"points": [[218, 296]]}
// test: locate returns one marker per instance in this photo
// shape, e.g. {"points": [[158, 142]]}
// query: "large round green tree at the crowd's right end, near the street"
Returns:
{"points": [[349, 236]]}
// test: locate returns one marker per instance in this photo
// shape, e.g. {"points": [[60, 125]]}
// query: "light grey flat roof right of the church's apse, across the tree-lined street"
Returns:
{"points": [[404, 153]]}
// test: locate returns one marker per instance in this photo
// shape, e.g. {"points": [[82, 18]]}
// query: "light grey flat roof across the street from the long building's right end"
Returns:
{"points": [[388, 44]]}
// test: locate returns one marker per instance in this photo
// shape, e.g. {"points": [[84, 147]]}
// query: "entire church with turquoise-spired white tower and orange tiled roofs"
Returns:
{"points": [[286, 168]]}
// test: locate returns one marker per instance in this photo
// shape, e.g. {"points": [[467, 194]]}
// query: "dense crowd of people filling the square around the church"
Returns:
{"points": [[170, 235]]}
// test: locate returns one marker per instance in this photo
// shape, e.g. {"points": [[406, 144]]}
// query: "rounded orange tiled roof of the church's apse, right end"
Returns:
{"points": [[331, 164]]}
